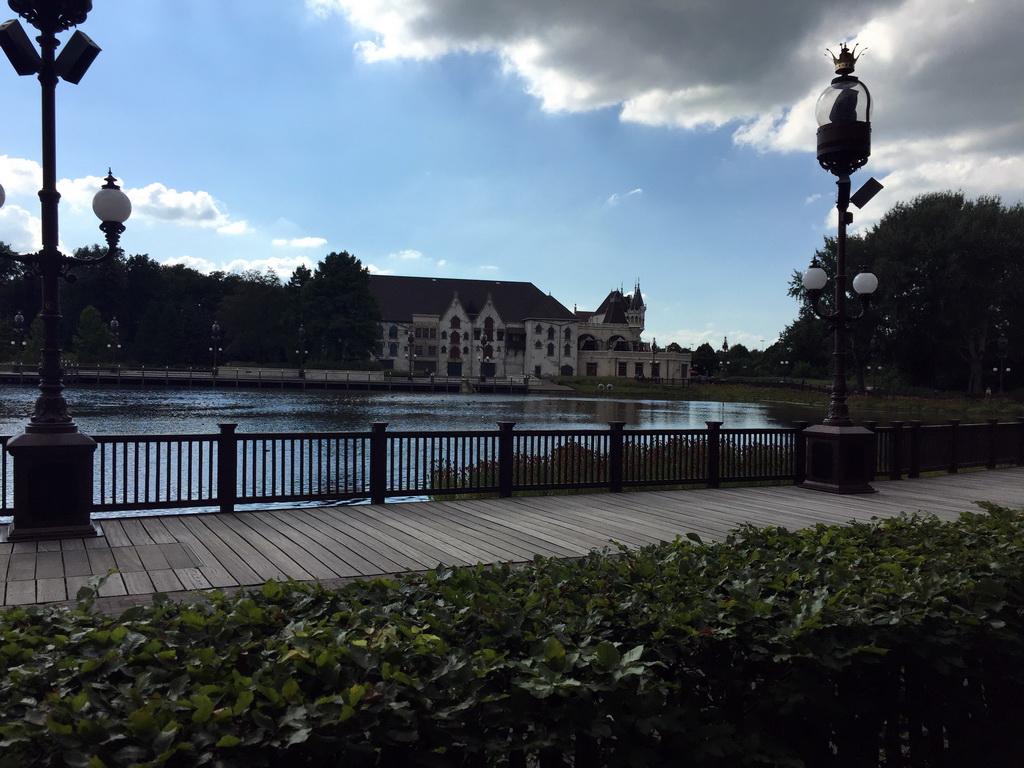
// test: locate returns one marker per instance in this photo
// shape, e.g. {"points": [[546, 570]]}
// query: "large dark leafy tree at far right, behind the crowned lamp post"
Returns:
{"points": [[952, 281]]}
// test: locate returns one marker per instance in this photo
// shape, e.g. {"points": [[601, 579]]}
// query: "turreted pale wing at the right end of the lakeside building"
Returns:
{"points": [[611, 344]]}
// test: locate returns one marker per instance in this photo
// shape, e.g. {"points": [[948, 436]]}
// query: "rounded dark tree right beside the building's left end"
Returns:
{"points": [[343, 317]]}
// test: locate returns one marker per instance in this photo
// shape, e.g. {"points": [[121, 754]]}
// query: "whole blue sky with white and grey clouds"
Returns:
{"points": [[583, 146]]}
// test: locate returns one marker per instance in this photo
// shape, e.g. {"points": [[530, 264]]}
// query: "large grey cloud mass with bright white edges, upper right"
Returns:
{"points": [[955, 93]]}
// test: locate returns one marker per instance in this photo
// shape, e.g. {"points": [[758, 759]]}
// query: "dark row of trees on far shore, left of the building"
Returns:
{"points": [[165, 314]]}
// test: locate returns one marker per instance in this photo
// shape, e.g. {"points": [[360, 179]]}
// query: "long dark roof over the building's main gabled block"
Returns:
{"points": [[400, 298]]}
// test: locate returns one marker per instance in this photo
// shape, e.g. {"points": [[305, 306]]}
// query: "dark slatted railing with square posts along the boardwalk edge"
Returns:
{"points": [[228, 470]]}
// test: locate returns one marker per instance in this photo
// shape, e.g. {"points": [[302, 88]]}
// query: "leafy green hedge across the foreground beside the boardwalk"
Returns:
{"points": [[836, 646]]}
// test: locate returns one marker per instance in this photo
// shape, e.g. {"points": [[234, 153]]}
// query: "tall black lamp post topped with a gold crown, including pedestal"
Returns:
{"points": [[841, 454]]}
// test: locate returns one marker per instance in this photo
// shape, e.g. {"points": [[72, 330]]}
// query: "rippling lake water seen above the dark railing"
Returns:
{"points": [[106, 411]]}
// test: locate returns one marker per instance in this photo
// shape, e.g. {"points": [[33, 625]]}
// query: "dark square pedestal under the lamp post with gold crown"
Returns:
{"points": [[840, 459]]}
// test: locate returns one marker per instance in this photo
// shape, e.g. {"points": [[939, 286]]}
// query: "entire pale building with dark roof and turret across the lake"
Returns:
{"points": [[479, 328]]}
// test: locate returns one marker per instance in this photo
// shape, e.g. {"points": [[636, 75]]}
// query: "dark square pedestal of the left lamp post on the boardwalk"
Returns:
{"points": [[53, 486]]}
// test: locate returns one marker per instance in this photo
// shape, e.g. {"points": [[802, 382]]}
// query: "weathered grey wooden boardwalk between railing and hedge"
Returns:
{"points": [[185, 553]]}
